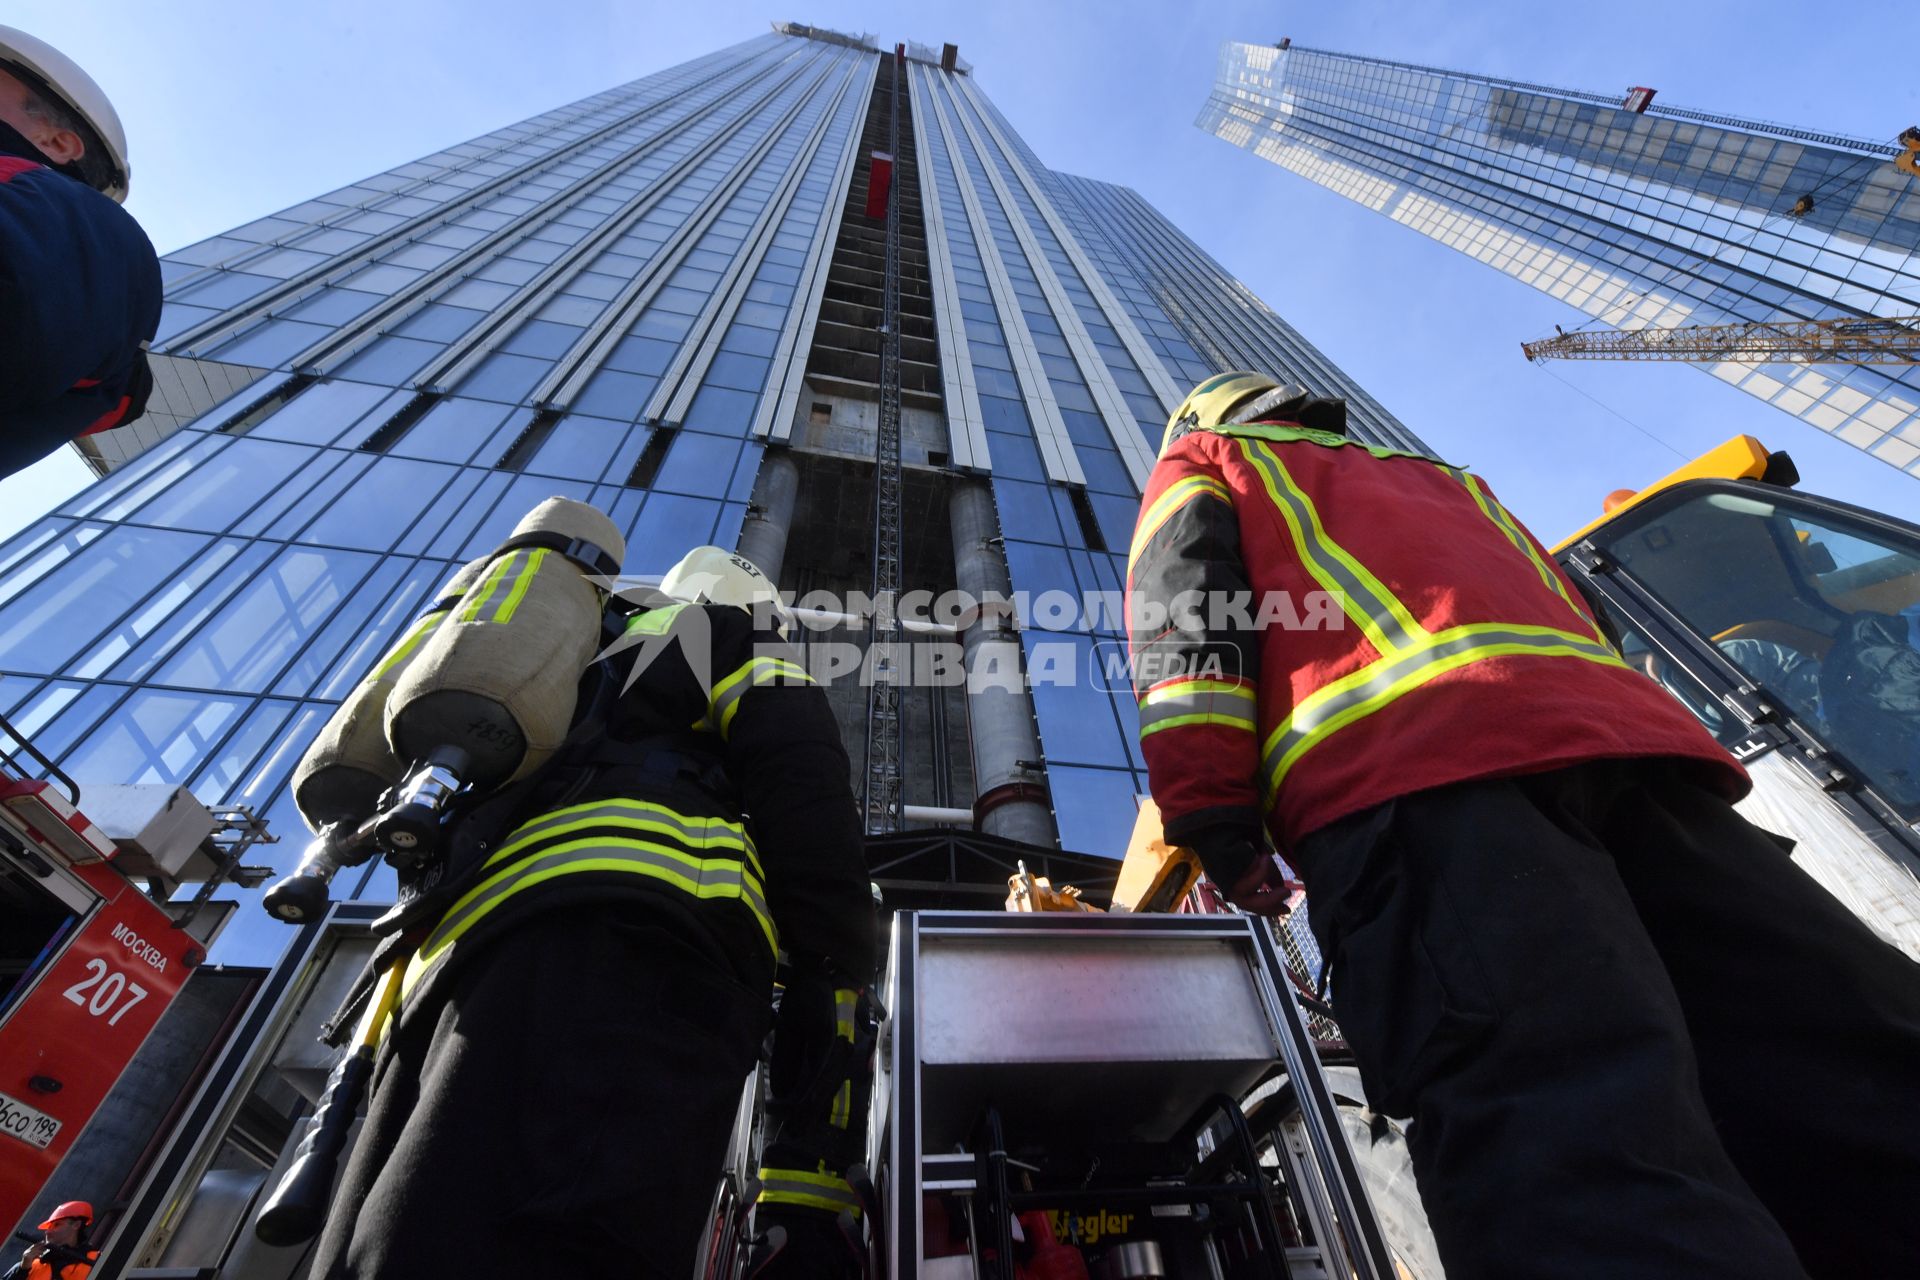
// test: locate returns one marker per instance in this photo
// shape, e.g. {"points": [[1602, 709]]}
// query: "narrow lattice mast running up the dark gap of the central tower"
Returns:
{"points": [[882, 799]]}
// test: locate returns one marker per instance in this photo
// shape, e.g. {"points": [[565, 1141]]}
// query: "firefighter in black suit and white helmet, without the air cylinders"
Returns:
{"points": [[596, 964]]}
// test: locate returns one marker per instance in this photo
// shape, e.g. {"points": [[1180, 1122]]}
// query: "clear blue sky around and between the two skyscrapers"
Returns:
{"points": [[237, 110]]}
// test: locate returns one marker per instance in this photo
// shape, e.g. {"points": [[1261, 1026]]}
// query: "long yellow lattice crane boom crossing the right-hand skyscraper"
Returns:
{"points": [[1854, 341]]}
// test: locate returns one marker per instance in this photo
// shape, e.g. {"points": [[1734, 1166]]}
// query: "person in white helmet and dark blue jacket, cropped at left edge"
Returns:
{"points": [[80, 283]]}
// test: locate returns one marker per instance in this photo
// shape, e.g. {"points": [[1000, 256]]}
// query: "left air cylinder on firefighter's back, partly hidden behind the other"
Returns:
{"points": [[350, 765]]}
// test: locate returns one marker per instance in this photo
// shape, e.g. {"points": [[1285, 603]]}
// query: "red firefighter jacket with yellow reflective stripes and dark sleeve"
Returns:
{"points": [[1322, 627]]}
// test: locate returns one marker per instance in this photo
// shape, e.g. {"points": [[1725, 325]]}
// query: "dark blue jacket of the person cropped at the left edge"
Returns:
{"points": [[80, 298]]}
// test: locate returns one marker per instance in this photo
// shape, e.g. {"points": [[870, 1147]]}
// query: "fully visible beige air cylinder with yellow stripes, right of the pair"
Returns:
{"points": [[491, 694]]}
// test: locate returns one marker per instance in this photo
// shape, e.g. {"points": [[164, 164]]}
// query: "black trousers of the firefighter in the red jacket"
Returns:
{"points": [[1635, 1039]]}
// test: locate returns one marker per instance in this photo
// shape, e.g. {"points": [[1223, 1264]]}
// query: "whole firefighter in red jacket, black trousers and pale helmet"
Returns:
{"points": [[1635, 1039]]}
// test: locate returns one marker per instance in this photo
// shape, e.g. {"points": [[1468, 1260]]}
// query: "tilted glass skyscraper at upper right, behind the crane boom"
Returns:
{"points": [[1654, 218]]}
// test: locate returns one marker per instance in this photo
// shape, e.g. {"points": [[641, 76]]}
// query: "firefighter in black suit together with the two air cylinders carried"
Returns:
{"points": [[613, 820]]}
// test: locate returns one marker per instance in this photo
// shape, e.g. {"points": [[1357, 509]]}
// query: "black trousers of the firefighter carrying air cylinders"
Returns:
{"points": [[564, 1112]]}
